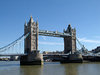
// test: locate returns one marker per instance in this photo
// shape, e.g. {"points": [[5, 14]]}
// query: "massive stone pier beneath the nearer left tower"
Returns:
{"points": [[34, 58]]}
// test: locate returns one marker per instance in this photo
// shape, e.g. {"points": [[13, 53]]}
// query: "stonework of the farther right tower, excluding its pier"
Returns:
{"points": [[70, 41]]}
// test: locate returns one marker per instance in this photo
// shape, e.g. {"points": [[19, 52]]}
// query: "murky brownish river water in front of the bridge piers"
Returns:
{"points": [[49, 68]]}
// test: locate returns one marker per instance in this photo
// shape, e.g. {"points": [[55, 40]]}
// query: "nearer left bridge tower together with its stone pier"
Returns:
{"points": [[33, 56]]}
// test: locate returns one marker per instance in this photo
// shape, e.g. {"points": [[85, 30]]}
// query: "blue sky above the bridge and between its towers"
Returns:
{"points": [[84, 15]]}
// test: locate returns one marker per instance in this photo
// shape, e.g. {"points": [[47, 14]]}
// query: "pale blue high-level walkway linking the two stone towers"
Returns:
{"points": [[53, 33]]}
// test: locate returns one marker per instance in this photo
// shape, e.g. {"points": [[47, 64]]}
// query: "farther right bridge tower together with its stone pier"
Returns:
{"points": [[70, 46]]}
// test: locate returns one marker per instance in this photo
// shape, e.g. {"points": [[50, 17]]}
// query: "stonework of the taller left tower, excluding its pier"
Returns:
{"points": [[31, 41]]}
